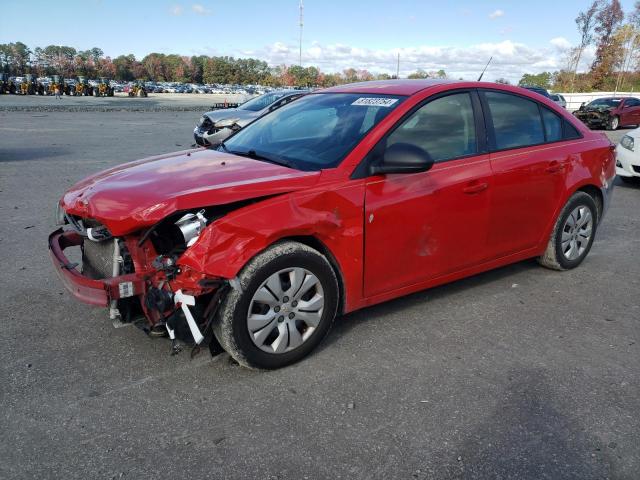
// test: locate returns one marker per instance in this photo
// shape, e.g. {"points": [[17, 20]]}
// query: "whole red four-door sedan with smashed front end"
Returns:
{"points": [[346, 198]]}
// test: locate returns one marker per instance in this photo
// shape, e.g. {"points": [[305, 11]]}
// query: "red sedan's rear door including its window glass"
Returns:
{"points": [[529, 163]]}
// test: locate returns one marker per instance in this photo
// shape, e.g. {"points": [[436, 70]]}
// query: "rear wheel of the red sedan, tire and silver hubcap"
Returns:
{"points": [[568, 254]]}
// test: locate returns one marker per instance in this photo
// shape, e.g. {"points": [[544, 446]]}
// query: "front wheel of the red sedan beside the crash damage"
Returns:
{"points": [[257, 348]]}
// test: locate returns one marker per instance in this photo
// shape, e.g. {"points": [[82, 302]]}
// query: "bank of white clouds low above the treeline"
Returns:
{"points": [[510, 59]]}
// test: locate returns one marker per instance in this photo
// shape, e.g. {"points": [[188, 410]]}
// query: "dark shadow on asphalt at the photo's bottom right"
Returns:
{"points": [[530, 435]]}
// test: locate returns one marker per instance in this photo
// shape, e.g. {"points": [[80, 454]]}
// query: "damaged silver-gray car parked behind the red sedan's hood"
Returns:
{"points": [[215, 126]]}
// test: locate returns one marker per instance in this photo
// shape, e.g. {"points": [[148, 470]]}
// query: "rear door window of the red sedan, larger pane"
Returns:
{"points": [[516, 120]]}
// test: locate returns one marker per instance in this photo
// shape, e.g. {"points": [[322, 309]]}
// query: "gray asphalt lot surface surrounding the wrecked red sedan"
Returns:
{"points": [[518, 373]]}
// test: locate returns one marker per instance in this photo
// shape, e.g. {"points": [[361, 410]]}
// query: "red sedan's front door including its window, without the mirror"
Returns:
{"points": [[424, 225]]}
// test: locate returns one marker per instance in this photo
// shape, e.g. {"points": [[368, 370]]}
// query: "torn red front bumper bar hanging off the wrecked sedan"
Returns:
{"points": [[94, 292]]}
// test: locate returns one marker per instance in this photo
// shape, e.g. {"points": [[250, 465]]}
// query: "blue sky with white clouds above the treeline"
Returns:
{"points": [[457, 36]]}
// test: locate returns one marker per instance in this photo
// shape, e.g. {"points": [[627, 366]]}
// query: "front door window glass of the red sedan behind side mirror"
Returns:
{"points": [[444, 128]]}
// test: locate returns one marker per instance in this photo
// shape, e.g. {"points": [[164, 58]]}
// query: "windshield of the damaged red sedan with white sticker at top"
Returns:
{"points": [[315, 132]]}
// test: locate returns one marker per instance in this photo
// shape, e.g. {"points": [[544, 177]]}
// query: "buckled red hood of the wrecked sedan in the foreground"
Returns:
{"points": [[139, 194]]}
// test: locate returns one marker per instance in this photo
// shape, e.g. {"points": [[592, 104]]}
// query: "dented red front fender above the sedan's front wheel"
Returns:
{"points": [[227, 244]]}
